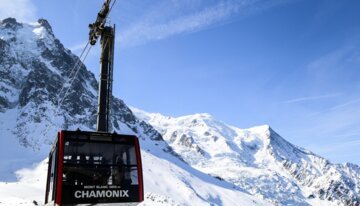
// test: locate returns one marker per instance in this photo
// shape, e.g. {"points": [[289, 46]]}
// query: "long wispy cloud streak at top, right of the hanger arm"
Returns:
{"points": [[165, 20]]}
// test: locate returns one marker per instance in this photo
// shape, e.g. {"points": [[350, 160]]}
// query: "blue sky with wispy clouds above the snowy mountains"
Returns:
{"points": [[294, 65]]}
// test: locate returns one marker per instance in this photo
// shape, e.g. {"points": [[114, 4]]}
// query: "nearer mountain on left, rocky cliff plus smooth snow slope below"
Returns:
{"points": [[36, 70]]}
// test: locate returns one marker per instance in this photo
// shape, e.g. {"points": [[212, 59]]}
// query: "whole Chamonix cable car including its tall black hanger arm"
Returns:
{"points": [[88, 168]]}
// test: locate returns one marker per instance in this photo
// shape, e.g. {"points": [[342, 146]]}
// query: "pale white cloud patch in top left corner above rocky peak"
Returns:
{"points": [[22, 10]]}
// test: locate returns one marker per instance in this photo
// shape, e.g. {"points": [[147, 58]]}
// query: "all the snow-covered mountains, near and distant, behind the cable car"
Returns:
{"points": [[191, 160]]}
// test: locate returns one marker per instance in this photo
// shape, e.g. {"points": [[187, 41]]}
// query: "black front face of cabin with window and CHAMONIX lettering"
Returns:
{"points": [[101, 172]]}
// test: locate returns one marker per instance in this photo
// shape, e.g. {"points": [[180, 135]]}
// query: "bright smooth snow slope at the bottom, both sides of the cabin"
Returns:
{"points": [[168, 181]]}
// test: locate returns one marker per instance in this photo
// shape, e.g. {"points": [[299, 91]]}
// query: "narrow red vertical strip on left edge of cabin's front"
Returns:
{"points": [[60, 168]]}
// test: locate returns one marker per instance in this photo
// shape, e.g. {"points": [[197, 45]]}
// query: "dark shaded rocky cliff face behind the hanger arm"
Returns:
{"points": [[36, 71]]}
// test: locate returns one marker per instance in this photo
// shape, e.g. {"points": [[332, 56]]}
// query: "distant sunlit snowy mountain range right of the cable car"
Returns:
{"points": [[258, 160]]}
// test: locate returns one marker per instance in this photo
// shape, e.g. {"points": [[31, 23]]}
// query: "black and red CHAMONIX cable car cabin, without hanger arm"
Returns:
{"points": [[88, 168]]}
